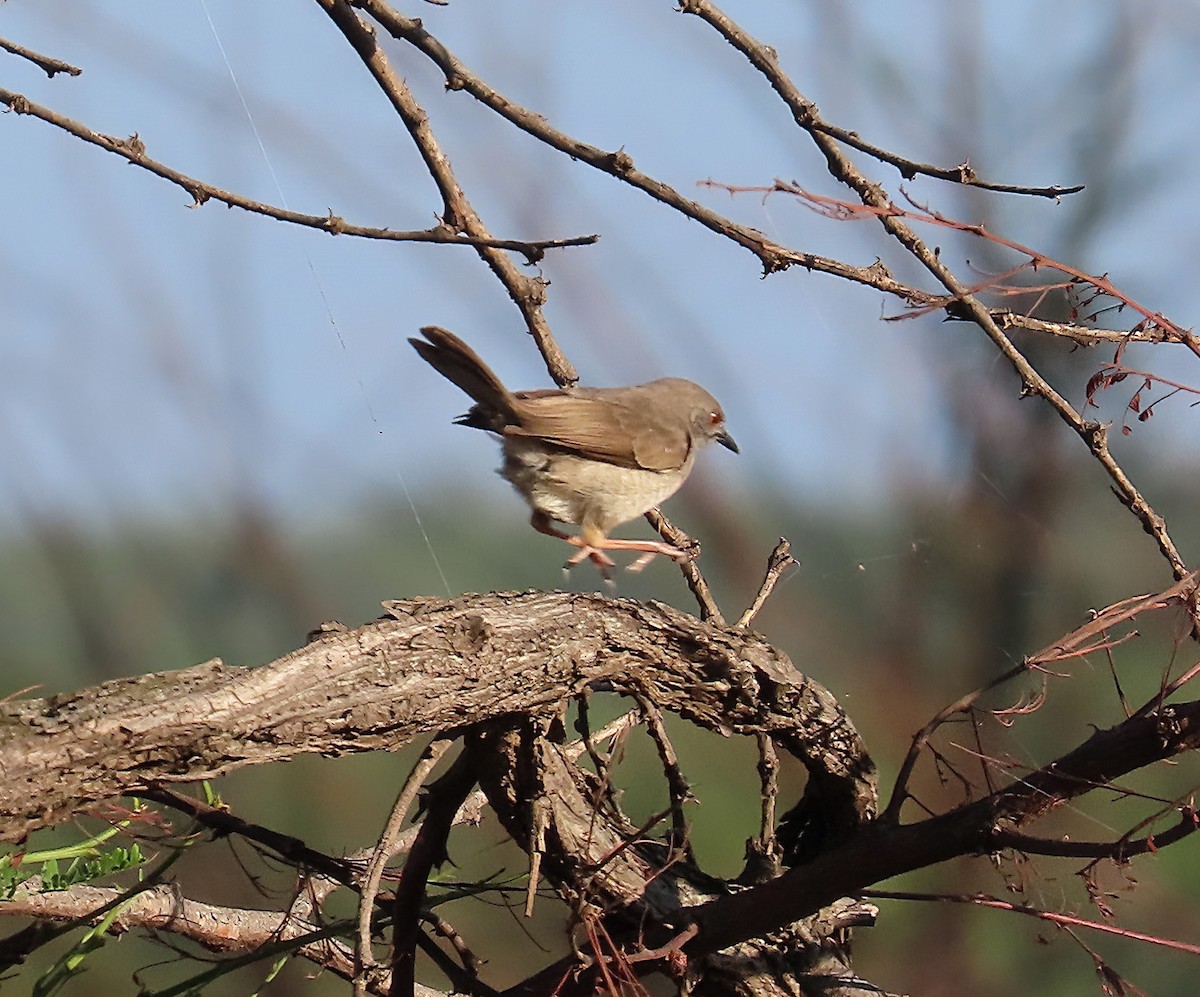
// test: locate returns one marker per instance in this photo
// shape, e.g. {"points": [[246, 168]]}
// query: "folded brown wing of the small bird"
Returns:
{"points": [[626, 433]]}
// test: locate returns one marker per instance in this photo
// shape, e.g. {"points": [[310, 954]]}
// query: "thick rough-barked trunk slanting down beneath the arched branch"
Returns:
{"points": [[613, 874]]}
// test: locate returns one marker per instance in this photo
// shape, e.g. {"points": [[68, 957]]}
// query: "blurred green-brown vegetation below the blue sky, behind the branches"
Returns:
{"points": [[896, 635]]}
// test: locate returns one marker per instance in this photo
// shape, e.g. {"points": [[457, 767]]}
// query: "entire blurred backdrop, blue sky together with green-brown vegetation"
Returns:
{"points": [[211, 422]]}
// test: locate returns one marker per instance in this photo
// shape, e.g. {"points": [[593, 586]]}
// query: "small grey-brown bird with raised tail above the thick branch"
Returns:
{"points": [[596, 458]]}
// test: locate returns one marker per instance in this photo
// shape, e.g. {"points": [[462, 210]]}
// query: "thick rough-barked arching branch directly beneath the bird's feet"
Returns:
{"points": [[430, 666]]}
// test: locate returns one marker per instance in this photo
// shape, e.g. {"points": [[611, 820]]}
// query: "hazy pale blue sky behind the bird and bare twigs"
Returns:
{"points": [[164, 361]]}
